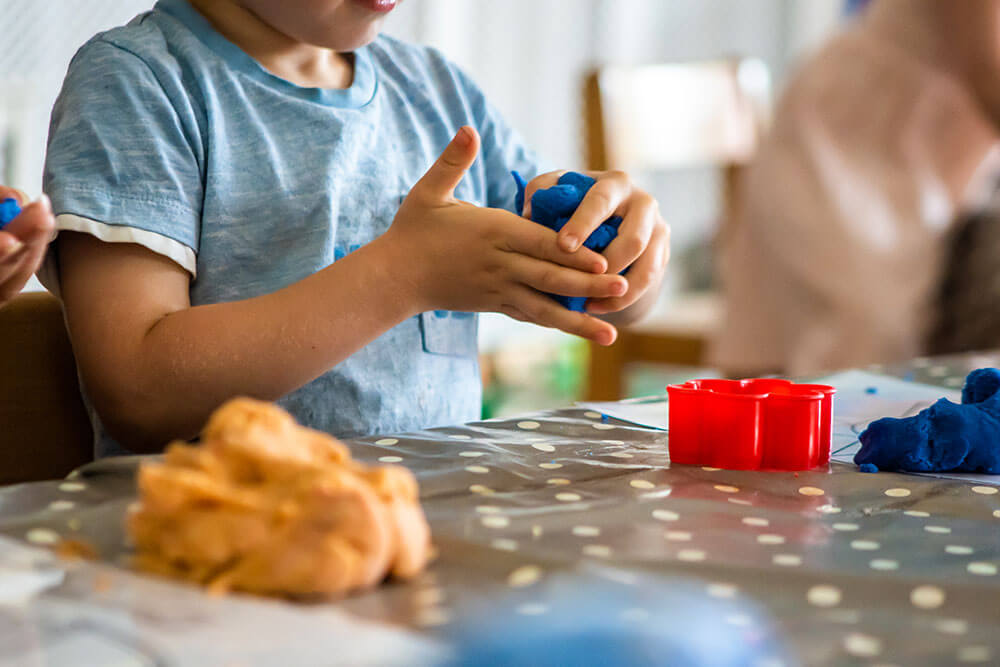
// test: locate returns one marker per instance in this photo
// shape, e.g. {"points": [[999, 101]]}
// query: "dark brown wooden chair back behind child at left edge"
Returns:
{"points": [[44, 429]]}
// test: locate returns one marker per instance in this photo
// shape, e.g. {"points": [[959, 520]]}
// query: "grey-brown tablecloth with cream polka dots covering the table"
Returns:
{"points": [[829, 567]]}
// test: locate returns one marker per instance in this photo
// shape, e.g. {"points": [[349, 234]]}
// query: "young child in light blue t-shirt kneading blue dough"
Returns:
{"points": [[243, 210]]}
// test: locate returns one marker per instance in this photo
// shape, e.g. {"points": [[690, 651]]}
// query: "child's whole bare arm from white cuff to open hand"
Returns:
{"points": [[155, 366]]}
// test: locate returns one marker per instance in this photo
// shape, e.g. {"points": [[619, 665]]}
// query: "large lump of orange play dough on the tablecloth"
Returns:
{"points": [[266, 506]]}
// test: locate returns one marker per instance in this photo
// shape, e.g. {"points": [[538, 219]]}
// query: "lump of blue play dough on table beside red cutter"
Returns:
{"points": [[945, 437]]}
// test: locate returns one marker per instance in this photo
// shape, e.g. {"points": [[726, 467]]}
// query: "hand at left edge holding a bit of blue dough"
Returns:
{"points": [[23, 243]]}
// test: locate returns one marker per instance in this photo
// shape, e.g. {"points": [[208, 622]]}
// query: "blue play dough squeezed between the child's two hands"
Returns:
{"points": [[553, 207]]}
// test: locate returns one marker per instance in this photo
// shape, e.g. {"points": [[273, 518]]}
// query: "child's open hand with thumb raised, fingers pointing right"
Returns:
{"points": [[461, 257]]}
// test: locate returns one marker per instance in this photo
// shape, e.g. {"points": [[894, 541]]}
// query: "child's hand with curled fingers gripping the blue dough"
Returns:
{"points": [[643, 241]]}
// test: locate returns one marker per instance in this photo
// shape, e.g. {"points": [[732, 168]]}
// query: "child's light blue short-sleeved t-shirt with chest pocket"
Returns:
{"points": [[168, 135]]}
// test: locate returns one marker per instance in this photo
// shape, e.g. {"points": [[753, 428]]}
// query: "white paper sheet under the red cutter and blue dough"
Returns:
{"points": [[862, 397]]}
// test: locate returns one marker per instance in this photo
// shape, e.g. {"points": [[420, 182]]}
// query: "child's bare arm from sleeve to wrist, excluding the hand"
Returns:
{"points": [[165, 374]]}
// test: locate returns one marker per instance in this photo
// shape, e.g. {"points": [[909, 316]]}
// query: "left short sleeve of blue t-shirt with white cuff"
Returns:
{"points": [[123, 159]]}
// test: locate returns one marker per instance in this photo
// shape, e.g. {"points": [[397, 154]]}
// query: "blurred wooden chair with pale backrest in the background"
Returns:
{"points": [[658, 117]]}
